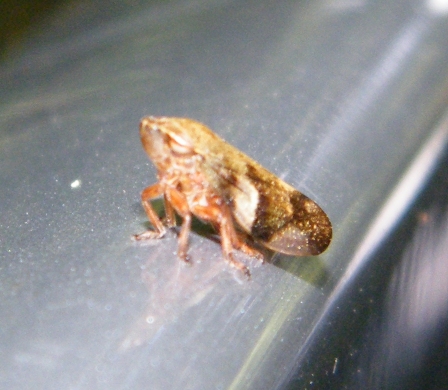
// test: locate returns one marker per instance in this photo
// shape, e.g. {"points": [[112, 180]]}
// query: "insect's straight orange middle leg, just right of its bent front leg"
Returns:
{"points": [[178, 201]]}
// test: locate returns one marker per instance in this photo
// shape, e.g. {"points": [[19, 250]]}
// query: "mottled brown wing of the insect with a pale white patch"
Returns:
{"points": [[270, 210]]}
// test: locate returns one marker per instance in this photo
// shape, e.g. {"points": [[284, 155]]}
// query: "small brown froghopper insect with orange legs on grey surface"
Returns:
{"points": [[200, 174]]}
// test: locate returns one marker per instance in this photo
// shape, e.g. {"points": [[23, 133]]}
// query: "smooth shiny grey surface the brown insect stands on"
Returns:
{"points": [[341, 99]]}
